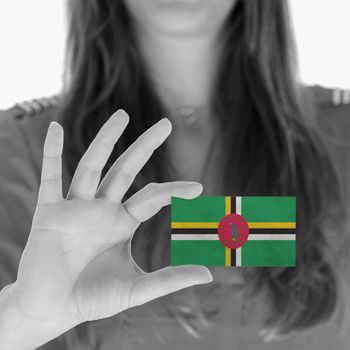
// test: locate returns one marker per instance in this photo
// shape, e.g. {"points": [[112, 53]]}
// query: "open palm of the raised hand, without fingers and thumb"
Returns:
{"points": [[90, 256]]}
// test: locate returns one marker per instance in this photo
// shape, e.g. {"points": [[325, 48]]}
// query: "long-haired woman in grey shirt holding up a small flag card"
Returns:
{"points": [[223, 72]]}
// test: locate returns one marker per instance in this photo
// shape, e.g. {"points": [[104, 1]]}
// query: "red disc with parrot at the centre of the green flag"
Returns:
{"points": [[233, 231]]}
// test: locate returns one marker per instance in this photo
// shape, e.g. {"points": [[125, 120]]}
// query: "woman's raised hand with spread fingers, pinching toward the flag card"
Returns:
{"points": [[77, 264]]}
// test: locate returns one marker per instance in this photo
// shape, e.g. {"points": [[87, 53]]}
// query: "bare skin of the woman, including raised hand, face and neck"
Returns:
{"points": [[77, 264]]}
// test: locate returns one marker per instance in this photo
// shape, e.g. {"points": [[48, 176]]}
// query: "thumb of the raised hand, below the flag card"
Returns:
{"points": [[167, 280]]}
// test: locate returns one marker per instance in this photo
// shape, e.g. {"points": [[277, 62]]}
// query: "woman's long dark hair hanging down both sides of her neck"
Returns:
{"points": [[262, 111]]}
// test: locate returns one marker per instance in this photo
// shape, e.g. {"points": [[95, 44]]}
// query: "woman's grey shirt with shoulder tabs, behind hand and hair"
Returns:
{"points": [[22, 133]]}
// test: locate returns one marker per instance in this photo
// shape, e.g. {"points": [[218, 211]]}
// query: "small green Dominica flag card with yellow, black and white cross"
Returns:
{"points": [[233, 231]]}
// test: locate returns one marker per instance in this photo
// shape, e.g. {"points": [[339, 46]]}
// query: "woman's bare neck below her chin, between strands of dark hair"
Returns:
{"points": [[181, 68]]}
